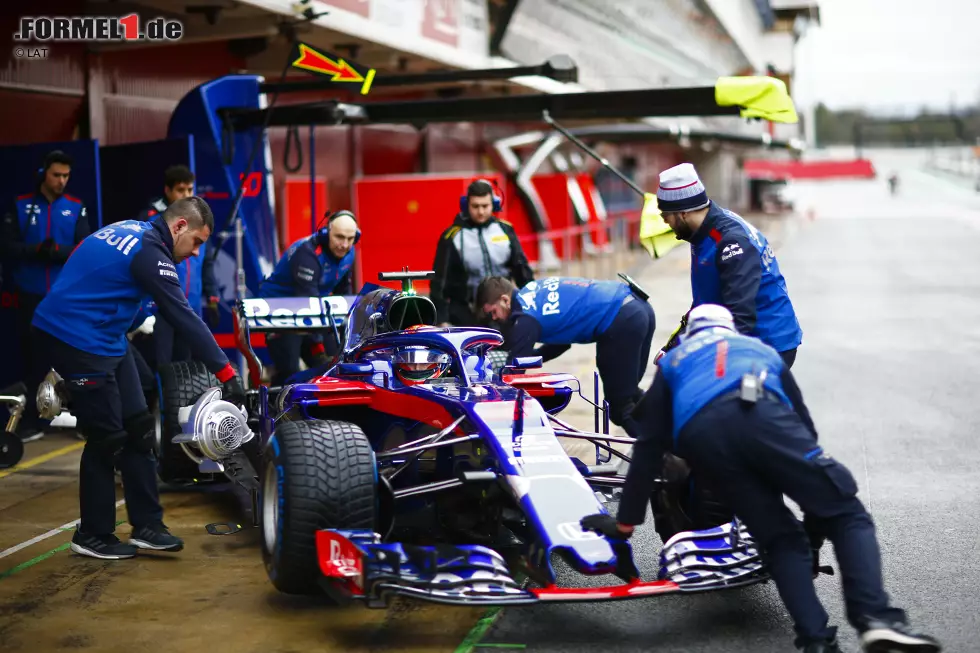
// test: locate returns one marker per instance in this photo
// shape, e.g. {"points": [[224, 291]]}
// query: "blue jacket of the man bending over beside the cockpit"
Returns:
{"points": [[560, 311]]}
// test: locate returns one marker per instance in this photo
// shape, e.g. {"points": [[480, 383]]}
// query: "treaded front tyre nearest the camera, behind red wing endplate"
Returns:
{"points": [[318, 474]]}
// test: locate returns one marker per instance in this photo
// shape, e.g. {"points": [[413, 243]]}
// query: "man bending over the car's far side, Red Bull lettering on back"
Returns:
{"points": [[560, 311]]}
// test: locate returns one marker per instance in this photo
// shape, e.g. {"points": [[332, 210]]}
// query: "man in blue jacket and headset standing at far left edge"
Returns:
{"points": [[39, 231]]}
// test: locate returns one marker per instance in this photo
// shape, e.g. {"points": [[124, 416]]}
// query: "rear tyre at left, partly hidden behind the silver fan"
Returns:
{"points": [[178, 384]]}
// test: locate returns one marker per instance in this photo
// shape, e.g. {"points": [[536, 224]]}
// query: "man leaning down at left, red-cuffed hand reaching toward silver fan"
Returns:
{"points": [[81, 327]]}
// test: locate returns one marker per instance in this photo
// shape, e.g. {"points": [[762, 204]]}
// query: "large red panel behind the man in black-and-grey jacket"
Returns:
{"points": [[401, 218]]}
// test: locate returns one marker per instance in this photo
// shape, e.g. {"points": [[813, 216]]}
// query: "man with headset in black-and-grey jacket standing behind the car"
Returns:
{"points": [[476, 246]]}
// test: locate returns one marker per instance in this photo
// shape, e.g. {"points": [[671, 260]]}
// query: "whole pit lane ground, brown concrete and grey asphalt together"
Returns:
{"points": [[883, 287]]}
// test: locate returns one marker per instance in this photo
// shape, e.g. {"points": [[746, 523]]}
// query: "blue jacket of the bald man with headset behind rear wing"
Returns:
{"points": [[301, 272]]}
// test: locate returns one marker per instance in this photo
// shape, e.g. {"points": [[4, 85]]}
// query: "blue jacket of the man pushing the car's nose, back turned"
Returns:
{"points": [[688, 378]]}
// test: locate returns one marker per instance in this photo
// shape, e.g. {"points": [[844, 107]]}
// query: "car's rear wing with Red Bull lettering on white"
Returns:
{"points": [[283, 315]]}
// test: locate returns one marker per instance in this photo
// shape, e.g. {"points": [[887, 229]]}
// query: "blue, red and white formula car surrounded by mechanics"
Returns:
{"points": [[409, 467]]}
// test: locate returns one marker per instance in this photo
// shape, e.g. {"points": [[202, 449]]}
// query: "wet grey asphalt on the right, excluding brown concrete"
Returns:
{"points": [[887, 290]]}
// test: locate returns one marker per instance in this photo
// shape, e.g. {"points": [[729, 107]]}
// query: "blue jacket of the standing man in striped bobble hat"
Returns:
{"points": [[732, 264]]}
